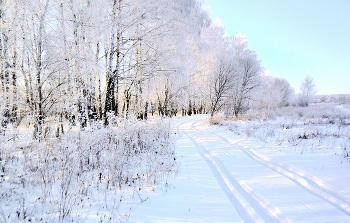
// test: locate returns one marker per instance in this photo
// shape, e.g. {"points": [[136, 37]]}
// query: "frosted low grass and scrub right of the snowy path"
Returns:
{"points": [[319, 127]]}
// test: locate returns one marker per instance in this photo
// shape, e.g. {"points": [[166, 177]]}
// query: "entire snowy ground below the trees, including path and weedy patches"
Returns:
{"points": [[290, 168]]}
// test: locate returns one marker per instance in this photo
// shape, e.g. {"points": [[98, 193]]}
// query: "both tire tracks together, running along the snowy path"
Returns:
{"points": [[247, 203]]}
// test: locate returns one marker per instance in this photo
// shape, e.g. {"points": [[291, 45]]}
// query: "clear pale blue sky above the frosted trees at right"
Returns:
{"points": [[294, 38]]}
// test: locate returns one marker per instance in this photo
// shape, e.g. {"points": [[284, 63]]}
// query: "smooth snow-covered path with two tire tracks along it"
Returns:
{"points": [[229, 178]]}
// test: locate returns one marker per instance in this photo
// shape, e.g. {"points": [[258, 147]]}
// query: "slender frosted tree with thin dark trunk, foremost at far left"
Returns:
{"points": [[40, 62]]}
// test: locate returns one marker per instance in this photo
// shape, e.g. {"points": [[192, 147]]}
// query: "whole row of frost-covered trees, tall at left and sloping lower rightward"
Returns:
{"points": [[88, 60]]}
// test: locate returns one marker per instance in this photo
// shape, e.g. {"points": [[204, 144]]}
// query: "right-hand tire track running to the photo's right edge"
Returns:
{"points": [[306, 181]]}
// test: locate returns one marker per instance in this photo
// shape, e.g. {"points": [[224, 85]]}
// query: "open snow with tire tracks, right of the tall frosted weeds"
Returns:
{"points": [[226, 176]]}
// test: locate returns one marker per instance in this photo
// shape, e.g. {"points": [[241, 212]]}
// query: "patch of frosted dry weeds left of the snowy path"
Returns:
{"points": [[85, 173]]}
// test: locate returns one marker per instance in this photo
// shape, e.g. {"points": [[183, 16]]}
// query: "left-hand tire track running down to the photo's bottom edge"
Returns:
{"points": [[262, 207]]}
